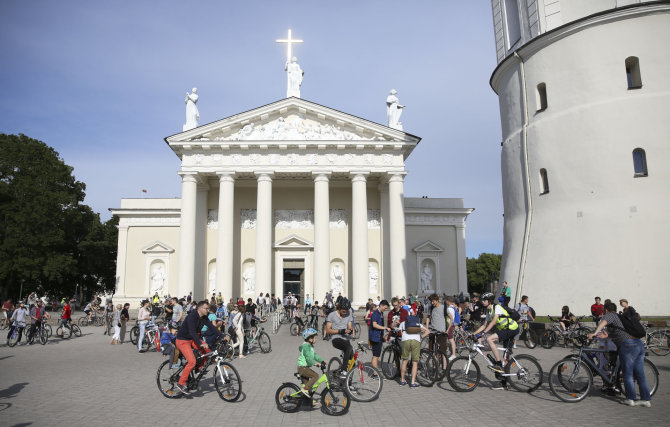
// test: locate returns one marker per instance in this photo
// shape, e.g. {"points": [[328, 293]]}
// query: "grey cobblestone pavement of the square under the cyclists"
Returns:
{"points": [[87, 381]]}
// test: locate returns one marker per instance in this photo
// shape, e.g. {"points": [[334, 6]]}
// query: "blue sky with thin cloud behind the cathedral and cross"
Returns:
{"points": [[104, 82]]}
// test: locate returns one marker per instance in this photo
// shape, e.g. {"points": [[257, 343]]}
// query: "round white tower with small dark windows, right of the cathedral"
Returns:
{"points": [[584, 95]]}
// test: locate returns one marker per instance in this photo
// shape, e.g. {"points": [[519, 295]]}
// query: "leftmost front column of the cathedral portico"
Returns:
{"points": [[189, 189]]}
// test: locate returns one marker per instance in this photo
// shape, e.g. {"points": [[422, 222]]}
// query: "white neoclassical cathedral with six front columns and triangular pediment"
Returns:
{"points": [[293, 197]]}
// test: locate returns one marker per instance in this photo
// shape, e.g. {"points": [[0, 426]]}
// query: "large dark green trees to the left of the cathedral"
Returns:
{"points": [[49, 240]]}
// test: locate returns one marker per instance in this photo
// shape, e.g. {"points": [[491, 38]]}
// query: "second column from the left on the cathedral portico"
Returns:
{"points": [[224, 244]]}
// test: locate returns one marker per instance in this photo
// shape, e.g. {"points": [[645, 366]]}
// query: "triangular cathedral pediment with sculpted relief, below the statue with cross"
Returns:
{"points": [[290, 119]]}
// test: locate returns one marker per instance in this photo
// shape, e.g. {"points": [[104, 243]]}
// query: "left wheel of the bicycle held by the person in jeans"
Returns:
{"points": [[570, 380]]}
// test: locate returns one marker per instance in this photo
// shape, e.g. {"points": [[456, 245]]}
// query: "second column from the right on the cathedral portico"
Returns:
{"points": [[359, 239]]}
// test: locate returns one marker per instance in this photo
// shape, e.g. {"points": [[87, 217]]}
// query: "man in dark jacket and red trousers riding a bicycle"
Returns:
{"points": [[188, 339]]}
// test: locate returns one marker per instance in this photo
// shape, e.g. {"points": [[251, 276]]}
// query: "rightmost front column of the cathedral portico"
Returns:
{"points": [[398, 252]]}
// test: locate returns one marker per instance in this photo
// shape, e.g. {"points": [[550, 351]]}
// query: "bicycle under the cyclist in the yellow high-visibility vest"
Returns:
{"points": [[523, 371]]}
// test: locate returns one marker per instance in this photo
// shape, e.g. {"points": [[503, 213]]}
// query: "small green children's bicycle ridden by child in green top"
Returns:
{"points": [[289, 397]]}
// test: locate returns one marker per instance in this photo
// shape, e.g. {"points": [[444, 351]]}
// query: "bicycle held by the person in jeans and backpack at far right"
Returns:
{"points": [[571, 378]]}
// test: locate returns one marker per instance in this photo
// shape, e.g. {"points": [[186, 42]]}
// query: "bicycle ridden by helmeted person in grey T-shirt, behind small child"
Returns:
{"points": [[363, 383]]}
